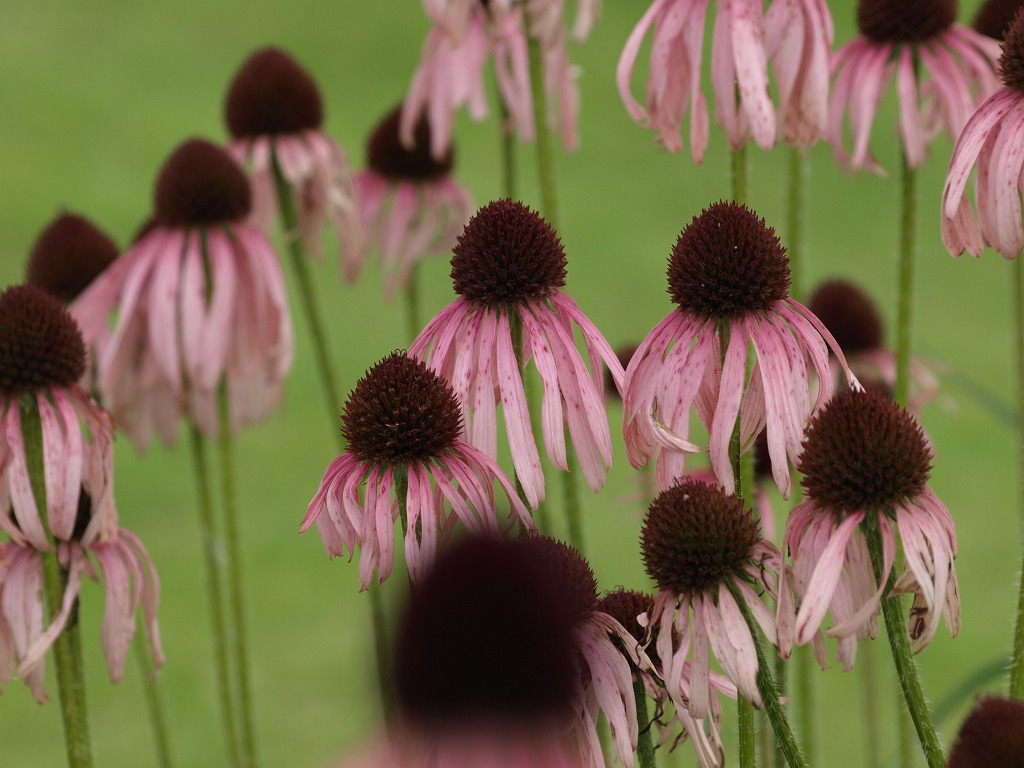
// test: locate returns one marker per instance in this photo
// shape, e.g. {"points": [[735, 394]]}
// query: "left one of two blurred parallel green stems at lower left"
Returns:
{"points": [[214, 561]]}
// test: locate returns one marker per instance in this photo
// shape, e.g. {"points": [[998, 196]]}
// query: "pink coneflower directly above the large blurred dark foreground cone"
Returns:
{"points": [[403, 424]]}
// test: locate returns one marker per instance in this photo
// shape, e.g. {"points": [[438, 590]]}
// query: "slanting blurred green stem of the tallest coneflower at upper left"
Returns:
{"points": [[311, 305]]}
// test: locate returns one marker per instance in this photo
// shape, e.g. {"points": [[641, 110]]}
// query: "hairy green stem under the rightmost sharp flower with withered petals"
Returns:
{"points": [[901, 645]]}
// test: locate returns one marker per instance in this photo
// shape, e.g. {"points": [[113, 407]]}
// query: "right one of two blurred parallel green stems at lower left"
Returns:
{"points": [[236, 581]]}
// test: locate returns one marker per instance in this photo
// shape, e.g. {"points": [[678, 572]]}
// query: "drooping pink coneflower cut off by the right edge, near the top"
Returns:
{"points": [[992, 141]]}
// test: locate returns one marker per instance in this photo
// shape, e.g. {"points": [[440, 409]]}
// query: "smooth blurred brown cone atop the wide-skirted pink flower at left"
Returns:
{"points": [[200, 186]]}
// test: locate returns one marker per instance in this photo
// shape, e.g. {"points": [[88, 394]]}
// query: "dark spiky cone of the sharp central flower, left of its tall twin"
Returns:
{"points": [[506, 254]]}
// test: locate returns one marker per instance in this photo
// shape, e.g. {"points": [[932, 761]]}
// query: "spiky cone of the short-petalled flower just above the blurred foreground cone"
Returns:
{"points": [[401, 412]]}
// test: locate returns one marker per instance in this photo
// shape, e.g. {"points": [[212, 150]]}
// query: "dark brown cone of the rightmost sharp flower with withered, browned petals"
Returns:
{"points": [[863, 451]]}
